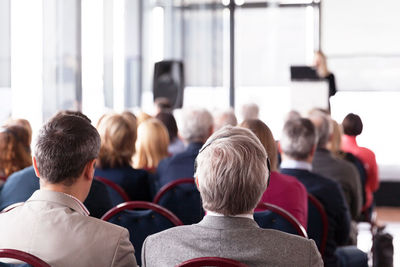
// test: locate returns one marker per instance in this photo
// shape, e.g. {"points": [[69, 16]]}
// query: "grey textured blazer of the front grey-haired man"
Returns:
{"points": [[230, 237]]}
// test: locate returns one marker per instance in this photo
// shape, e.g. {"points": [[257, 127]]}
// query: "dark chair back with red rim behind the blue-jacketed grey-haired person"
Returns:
{"points": [[183, 199]]}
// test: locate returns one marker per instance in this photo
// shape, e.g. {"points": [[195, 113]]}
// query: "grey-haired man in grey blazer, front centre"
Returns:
{"points": [[232, 174]]}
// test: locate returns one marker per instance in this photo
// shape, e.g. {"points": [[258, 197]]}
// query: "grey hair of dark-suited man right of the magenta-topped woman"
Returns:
{"points": [[298, 138]]}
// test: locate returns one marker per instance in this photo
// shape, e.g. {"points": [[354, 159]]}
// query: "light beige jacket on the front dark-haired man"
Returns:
{"points": [[55, 227]]}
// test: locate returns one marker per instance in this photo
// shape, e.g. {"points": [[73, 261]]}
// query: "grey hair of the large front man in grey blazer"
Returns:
{"points": [[232, 171]]}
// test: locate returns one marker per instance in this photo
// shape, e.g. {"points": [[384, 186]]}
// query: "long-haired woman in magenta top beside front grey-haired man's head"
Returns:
{"points": [[283, 190]]}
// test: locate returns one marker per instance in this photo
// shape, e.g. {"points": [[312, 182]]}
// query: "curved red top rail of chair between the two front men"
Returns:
{"points": [[131, 205]]}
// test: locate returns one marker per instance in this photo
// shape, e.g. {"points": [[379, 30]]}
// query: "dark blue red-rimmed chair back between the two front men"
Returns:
{"points": [[150, 219]]}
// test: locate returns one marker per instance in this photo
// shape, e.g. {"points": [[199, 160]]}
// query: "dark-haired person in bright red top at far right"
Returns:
{"points": [[352, 127]]}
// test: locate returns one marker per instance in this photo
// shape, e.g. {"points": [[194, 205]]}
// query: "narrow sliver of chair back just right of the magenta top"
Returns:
{"points": [[317, 227]]}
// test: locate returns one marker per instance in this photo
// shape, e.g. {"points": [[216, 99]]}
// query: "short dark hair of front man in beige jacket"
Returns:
{"points": [[66, 143]]}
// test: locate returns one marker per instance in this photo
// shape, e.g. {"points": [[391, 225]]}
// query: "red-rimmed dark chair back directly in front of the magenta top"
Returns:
{"points": [[274, 217]]}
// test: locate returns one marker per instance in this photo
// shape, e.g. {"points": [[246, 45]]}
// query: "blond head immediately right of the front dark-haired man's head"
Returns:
{"points": [[118, 137]]}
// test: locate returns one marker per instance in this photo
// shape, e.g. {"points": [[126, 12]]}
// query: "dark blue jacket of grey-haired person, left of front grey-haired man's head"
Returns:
{"points": [[180, 165]]}
